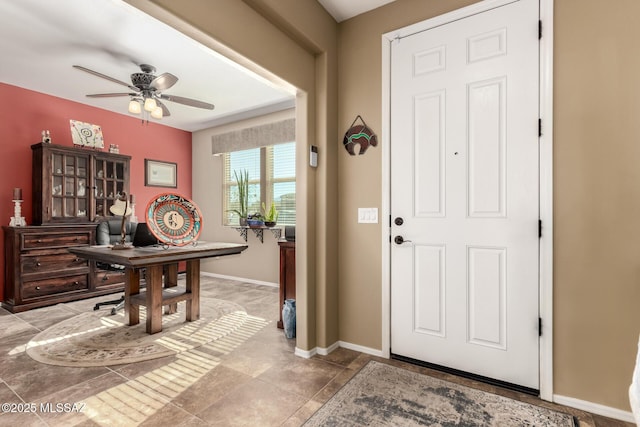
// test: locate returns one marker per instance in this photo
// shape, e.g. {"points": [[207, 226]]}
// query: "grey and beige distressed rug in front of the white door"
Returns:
{"points": [[383, 395]]}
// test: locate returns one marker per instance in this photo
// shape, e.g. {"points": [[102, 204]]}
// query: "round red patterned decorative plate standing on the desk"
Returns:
{"points": [[174, 219]]}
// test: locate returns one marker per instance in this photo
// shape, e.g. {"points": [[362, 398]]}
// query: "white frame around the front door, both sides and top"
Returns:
{"points": [[545, 176]]}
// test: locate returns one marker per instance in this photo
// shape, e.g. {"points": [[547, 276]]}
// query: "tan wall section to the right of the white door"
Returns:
{"points": [[596, 198]]}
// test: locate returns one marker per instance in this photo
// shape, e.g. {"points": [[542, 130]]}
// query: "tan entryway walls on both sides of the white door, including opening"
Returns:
{"points": [[596, 187]]}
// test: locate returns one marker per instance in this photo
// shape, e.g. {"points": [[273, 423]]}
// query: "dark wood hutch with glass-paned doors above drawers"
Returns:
{"points": [[72, 187]]}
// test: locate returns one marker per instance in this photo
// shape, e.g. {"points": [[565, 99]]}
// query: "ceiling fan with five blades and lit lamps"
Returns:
{"points": [[146, 91]]}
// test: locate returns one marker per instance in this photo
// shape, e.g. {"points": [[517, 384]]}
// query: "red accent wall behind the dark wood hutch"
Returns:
{"points": [[23, 116]]}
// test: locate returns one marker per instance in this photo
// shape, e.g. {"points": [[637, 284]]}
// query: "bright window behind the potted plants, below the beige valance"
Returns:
{"points": [[272, 177]]}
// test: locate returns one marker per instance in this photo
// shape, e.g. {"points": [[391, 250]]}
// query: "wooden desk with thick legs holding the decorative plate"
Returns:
{"points": [[153, 259]]}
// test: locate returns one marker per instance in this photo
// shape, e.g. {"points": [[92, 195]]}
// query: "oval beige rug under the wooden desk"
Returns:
{"points": [[98, 338]]}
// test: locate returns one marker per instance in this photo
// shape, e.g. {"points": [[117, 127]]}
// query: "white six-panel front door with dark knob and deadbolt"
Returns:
{"points": [[464, 187]]}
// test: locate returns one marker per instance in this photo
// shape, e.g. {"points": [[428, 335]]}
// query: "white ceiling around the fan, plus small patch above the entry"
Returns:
{"points": [[40, 41]]}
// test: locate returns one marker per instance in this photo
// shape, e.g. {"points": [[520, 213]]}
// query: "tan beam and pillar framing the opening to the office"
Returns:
{"points": [[285, 42]]}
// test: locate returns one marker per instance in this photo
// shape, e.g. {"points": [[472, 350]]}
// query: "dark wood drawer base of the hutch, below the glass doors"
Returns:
{"points": [[39, 270]]}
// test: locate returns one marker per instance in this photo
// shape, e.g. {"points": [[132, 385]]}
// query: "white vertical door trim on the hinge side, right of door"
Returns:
{"points": [[546, 200]]}
